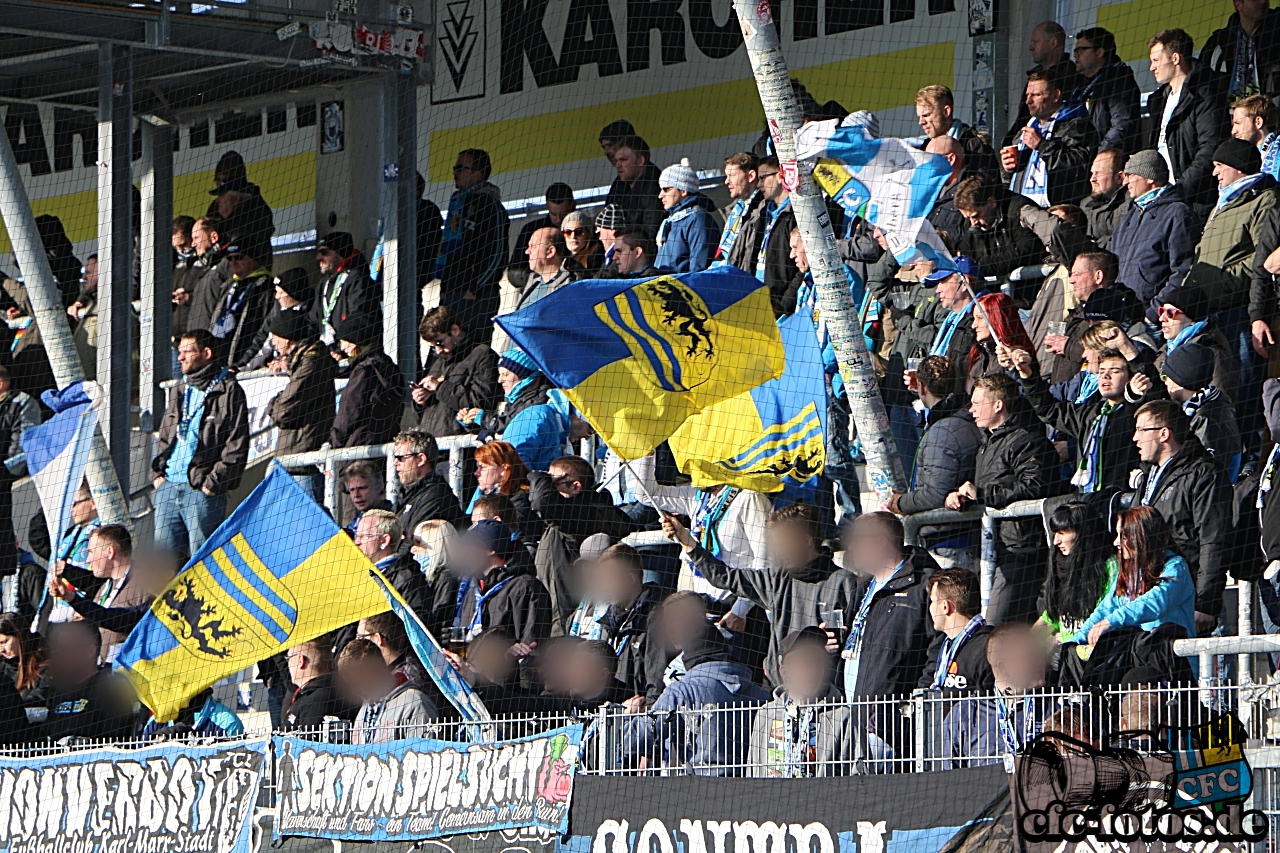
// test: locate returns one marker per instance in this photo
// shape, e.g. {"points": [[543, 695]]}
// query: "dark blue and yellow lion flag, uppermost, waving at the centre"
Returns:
{"points": [[638, 358]]}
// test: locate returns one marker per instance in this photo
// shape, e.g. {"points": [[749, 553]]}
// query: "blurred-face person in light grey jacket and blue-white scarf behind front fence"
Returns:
{"points": [[807, 731]]}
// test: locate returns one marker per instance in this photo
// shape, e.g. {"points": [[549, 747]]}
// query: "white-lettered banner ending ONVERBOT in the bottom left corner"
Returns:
{"points": [[173, 797]]}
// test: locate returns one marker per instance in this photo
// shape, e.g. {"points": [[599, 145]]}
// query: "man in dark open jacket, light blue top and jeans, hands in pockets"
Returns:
{"points": [[202, 448]]}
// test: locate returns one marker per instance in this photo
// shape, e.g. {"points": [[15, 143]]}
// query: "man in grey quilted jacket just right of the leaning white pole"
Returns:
{"points": [[944, 462]]}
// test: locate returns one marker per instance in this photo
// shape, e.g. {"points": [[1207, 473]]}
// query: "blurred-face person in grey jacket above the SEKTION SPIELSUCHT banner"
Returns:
{"points": [[392, 709]]}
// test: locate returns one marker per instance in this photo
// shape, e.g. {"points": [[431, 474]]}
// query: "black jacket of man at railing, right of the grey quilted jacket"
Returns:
{"points": [[1017, 463]]}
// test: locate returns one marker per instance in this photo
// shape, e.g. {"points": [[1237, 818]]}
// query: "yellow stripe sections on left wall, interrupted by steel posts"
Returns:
{"points": [[285, 181]]}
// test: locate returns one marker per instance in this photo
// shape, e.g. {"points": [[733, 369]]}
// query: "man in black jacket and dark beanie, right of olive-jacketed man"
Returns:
{"points": [[369, 412]]}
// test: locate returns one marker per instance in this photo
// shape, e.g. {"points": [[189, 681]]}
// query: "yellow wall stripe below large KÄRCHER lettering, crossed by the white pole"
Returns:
{"points": [[877, 83]]}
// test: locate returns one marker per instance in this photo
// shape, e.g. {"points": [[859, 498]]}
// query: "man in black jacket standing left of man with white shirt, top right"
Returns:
{"points": [[1108, 90]]}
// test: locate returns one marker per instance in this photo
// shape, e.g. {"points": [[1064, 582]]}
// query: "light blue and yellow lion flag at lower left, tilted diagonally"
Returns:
{"points": [[277, 573]]}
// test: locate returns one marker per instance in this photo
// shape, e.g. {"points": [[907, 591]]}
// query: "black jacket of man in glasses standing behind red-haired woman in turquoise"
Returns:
{"points": [[1195, 498]]}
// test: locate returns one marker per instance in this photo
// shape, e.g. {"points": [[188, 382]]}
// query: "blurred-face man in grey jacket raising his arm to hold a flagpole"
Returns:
{"points": [[798, 589]]}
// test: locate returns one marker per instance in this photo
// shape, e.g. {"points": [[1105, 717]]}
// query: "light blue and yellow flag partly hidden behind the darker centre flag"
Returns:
{"points": [[771, 436]]}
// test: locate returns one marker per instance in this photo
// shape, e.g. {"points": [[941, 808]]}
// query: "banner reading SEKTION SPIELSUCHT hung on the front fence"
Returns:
{"points": [[418, 788]]}
